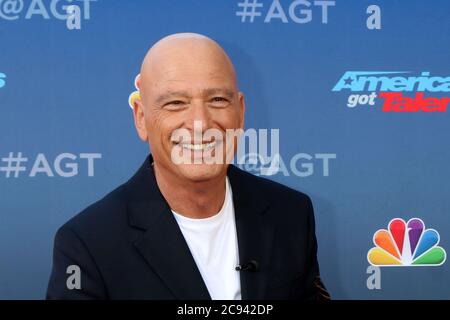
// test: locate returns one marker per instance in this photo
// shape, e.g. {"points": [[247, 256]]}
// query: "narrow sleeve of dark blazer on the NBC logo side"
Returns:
{"points": [[316, 290]]}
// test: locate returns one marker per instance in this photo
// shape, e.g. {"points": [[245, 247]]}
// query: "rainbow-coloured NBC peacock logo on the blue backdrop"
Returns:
{"points": [[406, 245]]}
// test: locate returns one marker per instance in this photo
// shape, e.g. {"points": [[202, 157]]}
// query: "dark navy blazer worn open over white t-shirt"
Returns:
{"points": [[128, 245]]}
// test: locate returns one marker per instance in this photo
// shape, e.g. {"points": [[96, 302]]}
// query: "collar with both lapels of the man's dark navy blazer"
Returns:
{"points": [[164, 248]]}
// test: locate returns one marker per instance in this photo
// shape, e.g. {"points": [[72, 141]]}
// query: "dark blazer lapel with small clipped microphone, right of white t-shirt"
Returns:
{"points": [[255, 234]]}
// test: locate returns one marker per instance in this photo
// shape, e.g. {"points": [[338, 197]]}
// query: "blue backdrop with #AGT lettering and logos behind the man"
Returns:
{"points": [[352, 95]]}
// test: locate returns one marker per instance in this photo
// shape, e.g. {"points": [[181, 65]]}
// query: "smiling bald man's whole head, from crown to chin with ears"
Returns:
{"points": [[188, 84]]}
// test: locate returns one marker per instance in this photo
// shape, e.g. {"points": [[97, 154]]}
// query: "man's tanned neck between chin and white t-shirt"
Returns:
{"points": [[196, 200]]}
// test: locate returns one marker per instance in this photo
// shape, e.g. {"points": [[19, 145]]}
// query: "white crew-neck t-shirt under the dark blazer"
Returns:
{"points": [[213, 244]]}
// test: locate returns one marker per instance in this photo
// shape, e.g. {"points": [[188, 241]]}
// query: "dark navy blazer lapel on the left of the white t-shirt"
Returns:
{"points": [[162, 244]]}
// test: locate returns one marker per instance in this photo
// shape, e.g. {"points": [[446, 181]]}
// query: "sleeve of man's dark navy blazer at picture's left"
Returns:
{"points": [[69, 250]]}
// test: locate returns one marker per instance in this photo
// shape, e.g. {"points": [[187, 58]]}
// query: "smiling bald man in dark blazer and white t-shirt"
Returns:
{"points": [[188, 225]]}
